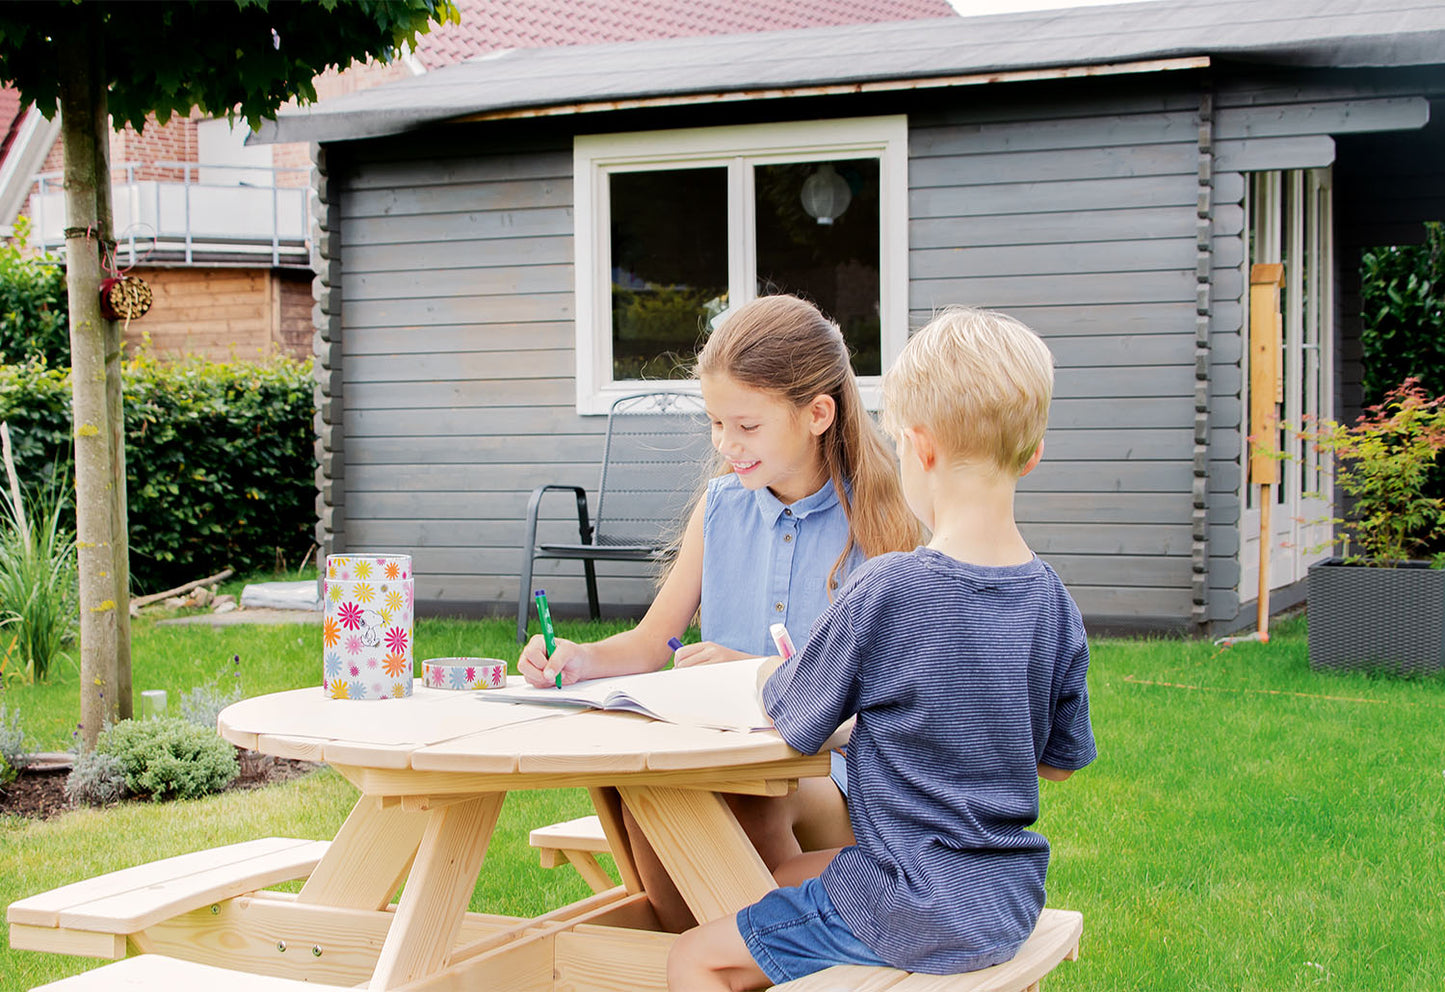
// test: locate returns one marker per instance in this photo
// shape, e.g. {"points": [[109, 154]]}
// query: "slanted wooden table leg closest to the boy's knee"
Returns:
{"points": [[694, 834]]}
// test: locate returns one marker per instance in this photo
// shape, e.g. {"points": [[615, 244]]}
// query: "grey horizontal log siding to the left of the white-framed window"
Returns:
{"points": [[459, 372]]}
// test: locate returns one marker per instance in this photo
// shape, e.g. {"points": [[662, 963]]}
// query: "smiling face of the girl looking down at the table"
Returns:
{"points": [[767, 440]]}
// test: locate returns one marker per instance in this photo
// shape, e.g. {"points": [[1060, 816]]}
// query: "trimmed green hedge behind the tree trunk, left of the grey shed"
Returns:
{"points": [[219, 460]]}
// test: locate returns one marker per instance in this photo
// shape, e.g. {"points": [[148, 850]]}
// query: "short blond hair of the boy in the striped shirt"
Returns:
{"points": [[979, 380]]}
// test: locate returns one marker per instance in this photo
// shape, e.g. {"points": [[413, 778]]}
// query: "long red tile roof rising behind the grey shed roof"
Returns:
{"points": [[495, 25]]}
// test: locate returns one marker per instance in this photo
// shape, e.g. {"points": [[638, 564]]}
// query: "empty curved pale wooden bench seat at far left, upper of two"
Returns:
{"points": [[95, 916]]}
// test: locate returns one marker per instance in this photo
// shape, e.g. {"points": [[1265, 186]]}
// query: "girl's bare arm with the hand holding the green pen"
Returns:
{"points": [[642, 649]]}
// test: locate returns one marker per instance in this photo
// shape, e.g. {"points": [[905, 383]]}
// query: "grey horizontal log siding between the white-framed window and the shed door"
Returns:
{"points": [[1082, 217]]}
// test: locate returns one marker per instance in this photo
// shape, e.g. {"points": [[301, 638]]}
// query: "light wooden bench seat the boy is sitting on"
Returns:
{"points": [[1054, 939]]}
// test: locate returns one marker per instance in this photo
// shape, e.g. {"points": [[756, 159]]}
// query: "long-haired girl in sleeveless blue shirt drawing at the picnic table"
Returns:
{"points": [[807, 490]]}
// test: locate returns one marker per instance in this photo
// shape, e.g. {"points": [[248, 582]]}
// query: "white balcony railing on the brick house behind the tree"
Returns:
{"points": [[209, 214]]}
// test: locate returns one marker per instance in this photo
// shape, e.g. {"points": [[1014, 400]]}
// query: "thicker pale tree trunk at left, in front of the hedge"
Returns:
{"points": [[86, 129]]}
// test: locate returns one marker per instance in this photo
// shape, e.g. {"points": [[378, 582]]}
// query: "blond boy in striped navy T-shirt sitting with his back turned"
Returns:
{"points": [[965, 663]]}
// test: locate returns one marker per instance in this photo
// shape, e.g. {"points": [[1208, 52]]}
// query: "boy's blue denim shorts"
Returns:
{"points": [[795, 932]]}
